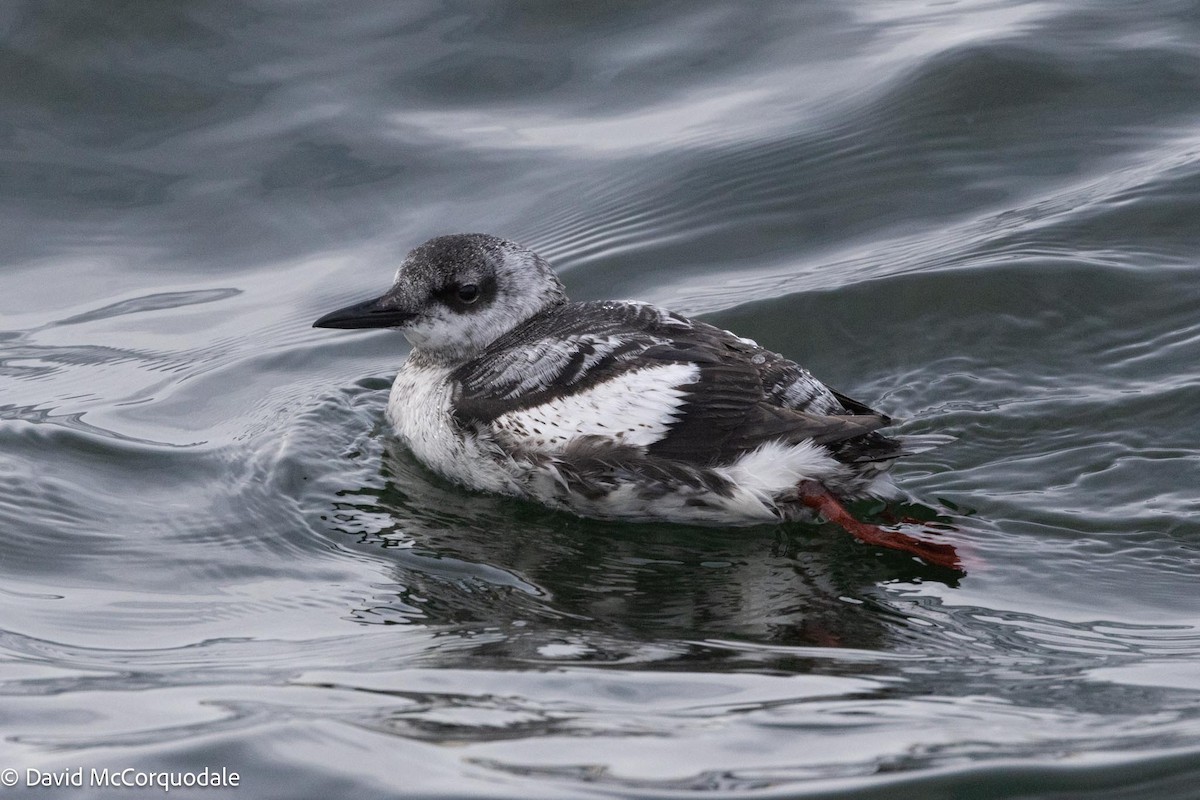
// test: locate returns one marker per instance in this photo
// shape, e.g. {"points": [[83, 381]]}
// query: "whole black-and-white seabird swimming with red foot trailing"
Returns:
{"points": [[616, 410]]}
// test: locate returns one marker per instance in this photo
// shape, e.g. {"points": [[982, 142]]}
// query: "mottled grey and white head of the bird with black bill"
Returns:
{"points": [[454, 296]]}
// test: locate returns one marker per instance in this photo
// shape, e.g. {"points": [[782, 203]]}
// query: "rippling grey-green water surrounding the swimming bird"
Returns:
{"points": [[980, 216]]}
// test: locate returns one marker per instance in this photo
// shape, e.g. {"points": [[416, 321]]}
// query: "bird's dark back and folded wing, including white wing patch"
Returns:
{"points": [[682, 390]]}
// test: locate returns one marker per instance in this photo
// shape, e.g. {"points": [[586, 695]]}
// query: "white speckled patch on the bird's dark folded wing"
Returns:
{"points": [[634, 408]]}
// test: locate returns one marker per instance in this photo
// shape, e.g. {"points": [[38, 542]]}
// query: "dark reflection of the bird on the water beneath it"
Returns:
{"points": [[557, 587]]}
